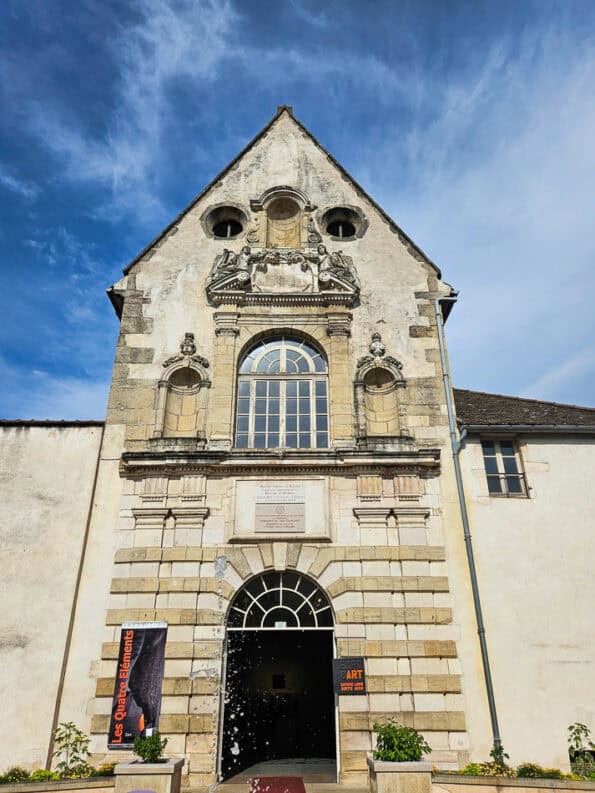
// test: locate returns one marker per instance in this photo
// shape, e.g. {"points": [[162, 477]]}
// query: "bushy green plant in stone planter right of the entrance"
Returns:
{"points": [[396, 765]]}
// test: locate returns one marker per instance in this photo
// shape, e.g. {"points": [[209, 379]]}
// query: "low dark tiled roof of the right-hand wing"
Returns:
{"points": [[474, 408]]}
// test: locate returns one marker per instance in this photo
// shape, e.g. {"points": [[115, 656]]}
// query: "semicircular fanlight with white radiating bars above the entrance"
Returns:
{"points": [[280, 600]]}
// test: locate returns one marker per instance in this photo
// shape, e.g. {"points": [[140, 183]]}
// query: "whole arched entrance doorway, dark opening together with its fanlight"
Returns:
{"points": [[278, 702]]}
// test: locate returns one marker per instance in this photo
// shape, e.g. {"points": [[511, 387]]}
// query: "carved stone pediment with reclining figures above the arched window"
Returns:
{"points": [[283, 275]]}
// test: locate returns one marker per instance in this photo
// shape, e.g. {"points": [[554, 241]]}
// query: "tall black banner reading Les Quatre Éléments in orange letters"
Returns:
{"points": [[139, 676]]}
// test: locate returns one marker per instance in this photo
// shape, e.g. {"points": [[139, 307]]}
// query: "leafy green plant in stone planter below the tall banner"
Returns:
{"points": [[153, 771]]}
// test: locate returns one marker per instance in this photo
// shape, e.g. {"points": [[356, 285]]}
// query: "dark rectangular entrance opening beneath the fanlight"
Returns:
{"points": [[279, 700]]}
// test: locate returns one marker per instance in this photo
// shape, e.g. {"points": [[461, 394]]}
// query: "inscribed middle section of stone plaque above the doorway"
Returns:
{"points": [[280, 507]]}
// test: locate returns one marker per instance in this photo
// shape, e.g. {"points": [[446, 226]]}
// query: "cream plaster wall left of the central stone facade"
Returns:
{"points": [[46, 478]]}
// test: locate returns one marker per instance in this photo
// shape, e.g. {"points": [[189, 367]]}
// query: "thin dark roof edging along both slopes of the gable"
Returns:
{"points": [[406, 240]]}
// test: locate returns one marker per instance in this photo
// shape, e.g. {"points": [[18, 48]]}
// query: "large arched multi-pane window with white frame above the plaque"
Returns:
{"points": [[282, 397]]}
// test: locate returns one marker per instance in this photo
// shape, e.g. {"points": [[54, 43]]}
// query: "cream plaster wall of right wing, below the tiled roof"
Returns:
{"points": [[538, 593]]}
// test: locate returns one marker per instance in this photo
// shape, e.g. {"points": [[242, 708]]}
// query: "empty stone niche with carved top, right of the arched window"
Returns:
{"points": [[376, 385]]}
